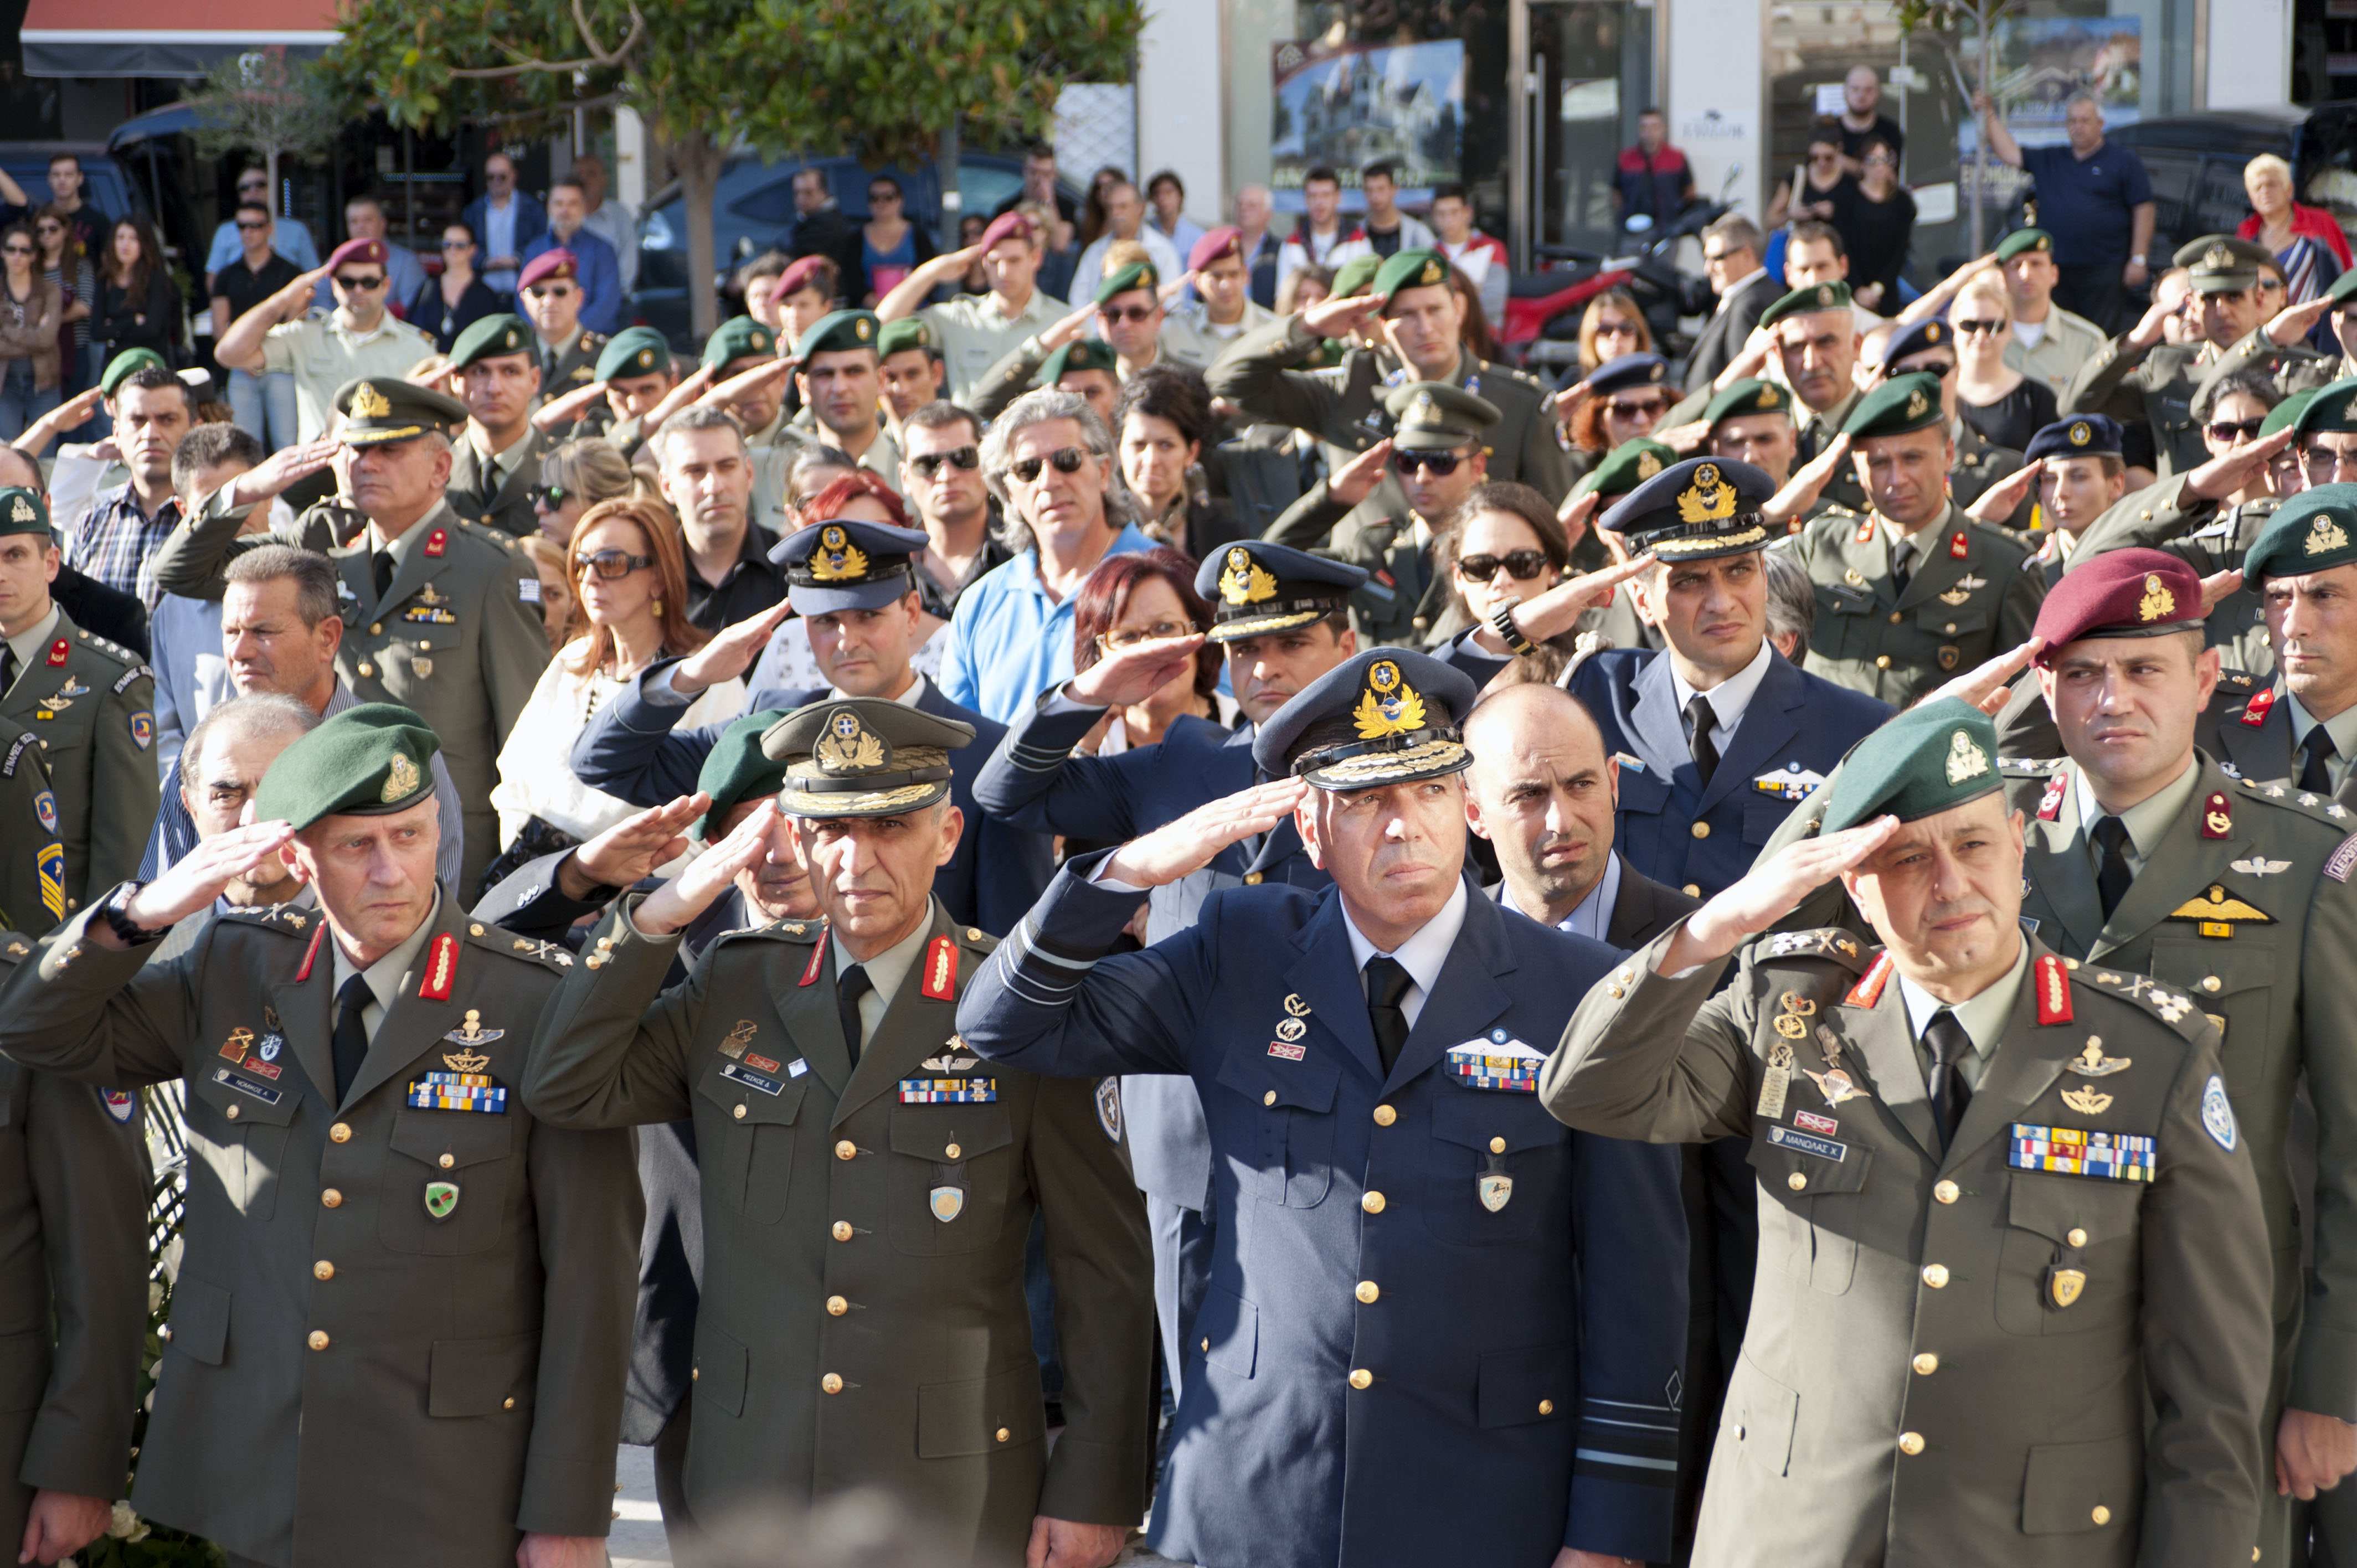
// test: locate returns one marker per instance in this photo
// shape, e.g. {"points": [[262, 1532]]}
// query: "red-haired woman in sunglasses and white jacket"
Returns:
{"points": [[633, 584]]}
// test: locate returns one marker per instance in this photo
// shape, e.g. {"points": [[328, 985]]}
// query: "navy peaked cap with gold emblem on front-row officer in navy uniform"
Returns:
{"points": [[1394, 720]]}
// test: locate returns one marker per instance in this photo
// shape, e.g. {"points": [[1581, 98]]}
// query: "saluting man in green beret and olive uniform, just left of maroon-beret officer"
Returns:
{"points": [[1910, 591]]}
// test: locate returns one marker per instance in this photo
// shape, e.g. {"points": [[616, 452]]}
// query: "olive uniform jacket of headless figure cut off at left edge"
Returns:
{"points": [[74, 1190]]}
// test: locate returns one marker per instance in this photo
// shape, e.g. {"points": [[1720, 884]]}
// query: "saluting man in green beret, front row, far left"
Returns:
{"points": [[402, 1322]]}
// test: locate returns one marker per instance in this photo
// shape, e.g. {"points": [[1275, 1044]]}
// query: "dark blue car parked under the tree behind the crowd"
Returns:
{"points": [[755, 211]]}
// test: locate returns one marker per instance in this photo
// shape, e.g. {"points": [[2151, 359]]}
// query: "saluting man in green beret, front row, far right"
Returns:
{"points": [[2012, 1265]]}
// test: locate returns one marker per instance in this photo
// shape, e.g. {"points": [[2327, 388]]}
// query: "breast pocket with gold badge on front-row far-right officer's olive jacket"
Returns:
{"points": [[2068, 1263]]}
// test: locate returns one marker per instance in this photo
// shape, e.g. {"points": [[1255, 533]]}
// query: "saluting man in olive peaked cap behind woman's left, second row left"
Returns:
{"points": [[440, 614]]}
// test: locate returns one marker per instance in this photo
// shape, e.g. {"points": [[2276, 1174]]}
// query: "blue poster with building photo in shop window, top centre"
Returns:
{"points": [[1352, 105]]}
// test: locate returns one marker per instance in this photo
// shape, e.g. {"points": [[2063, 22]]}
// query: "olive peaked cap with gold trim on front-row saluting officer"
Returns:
{"points": [[864, 758]]}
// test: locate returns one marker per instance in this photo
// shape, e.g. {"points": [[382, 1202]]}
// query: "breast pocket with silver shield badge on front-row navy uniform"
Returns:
{"points": [[1500, 1166]]}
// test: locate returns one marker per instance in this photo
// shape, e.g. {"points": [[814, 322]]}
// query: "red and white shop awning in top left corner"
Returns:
{"points": [[166, 37]]}
